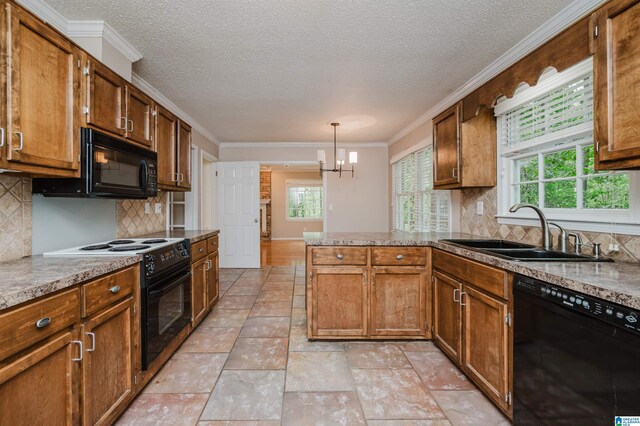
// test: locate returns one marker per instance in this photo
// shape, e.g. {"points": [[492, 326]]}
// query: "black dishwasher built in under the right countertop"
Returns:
{"points": [[576, 357]]}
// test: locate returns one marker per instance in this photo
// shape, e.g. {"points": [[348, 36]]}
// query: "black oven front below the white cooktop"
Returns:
{"points": [[166, 298]]}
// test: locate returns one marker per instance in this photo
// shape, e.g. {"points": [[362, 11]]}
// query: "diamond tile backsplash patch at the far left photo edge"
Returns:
{"points": [[15, 217]]}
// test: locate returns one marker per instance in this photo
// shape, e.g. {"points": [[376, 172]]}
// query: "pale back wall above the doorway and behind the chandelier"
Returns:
{"points": [[360, 204]]}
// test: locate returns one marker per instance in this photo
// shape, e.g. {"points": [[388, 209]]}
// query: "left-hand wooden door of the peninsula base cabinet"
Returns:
{"points": [[339, 302]]}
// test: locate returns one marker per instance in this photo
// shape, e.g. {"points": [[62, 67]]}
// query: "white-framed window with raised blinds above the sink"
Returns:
{"points": [[545, 157]]}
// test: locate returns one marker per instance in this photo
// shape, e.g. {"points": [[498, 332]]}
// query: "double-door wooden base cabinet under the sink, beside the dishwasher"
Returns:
{"points": [[472, 322]]}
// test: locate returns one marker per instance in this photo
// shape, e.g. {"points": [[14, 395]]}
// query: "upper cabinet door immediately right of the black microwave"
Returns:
{"points": [[165, 134]]}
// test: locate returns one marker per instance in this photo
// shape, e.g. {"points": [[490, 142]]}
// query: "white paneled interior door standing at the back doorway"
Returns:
{"points": [[238, 214]]}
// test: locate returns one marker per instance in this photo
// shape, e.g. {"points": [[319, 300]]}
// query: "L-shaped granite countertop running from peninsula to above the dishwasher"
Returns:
{"points": [[616, 282]]}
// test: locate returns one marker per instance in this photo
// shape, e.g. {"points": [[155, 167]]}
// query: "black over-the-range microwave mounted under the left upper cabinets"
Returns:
{"points": [[110, 168]]}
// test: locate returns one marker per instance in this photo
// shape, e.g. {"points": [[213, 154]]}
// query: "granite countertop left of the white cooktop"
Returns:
{"points": [[34, 276]]}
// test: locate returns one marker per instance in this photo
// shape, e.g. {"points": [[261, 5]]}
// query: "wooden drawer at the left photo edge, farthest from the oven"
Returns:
{"points": [[24, 326]]}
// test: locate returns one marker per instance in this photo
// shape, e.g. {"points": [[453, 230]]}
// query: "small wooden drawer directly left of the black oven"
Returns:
{"points": [[107, 290]]}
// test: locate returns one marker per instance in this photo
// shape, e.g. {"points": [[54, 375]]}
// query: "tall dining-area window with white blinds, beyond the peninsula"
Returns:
{"points": [[416, 206]]}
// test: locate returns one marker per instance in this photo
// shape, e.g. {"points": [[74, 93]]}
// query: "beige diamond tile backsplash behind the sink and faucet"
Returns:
{"points": [[486, 225]]}
